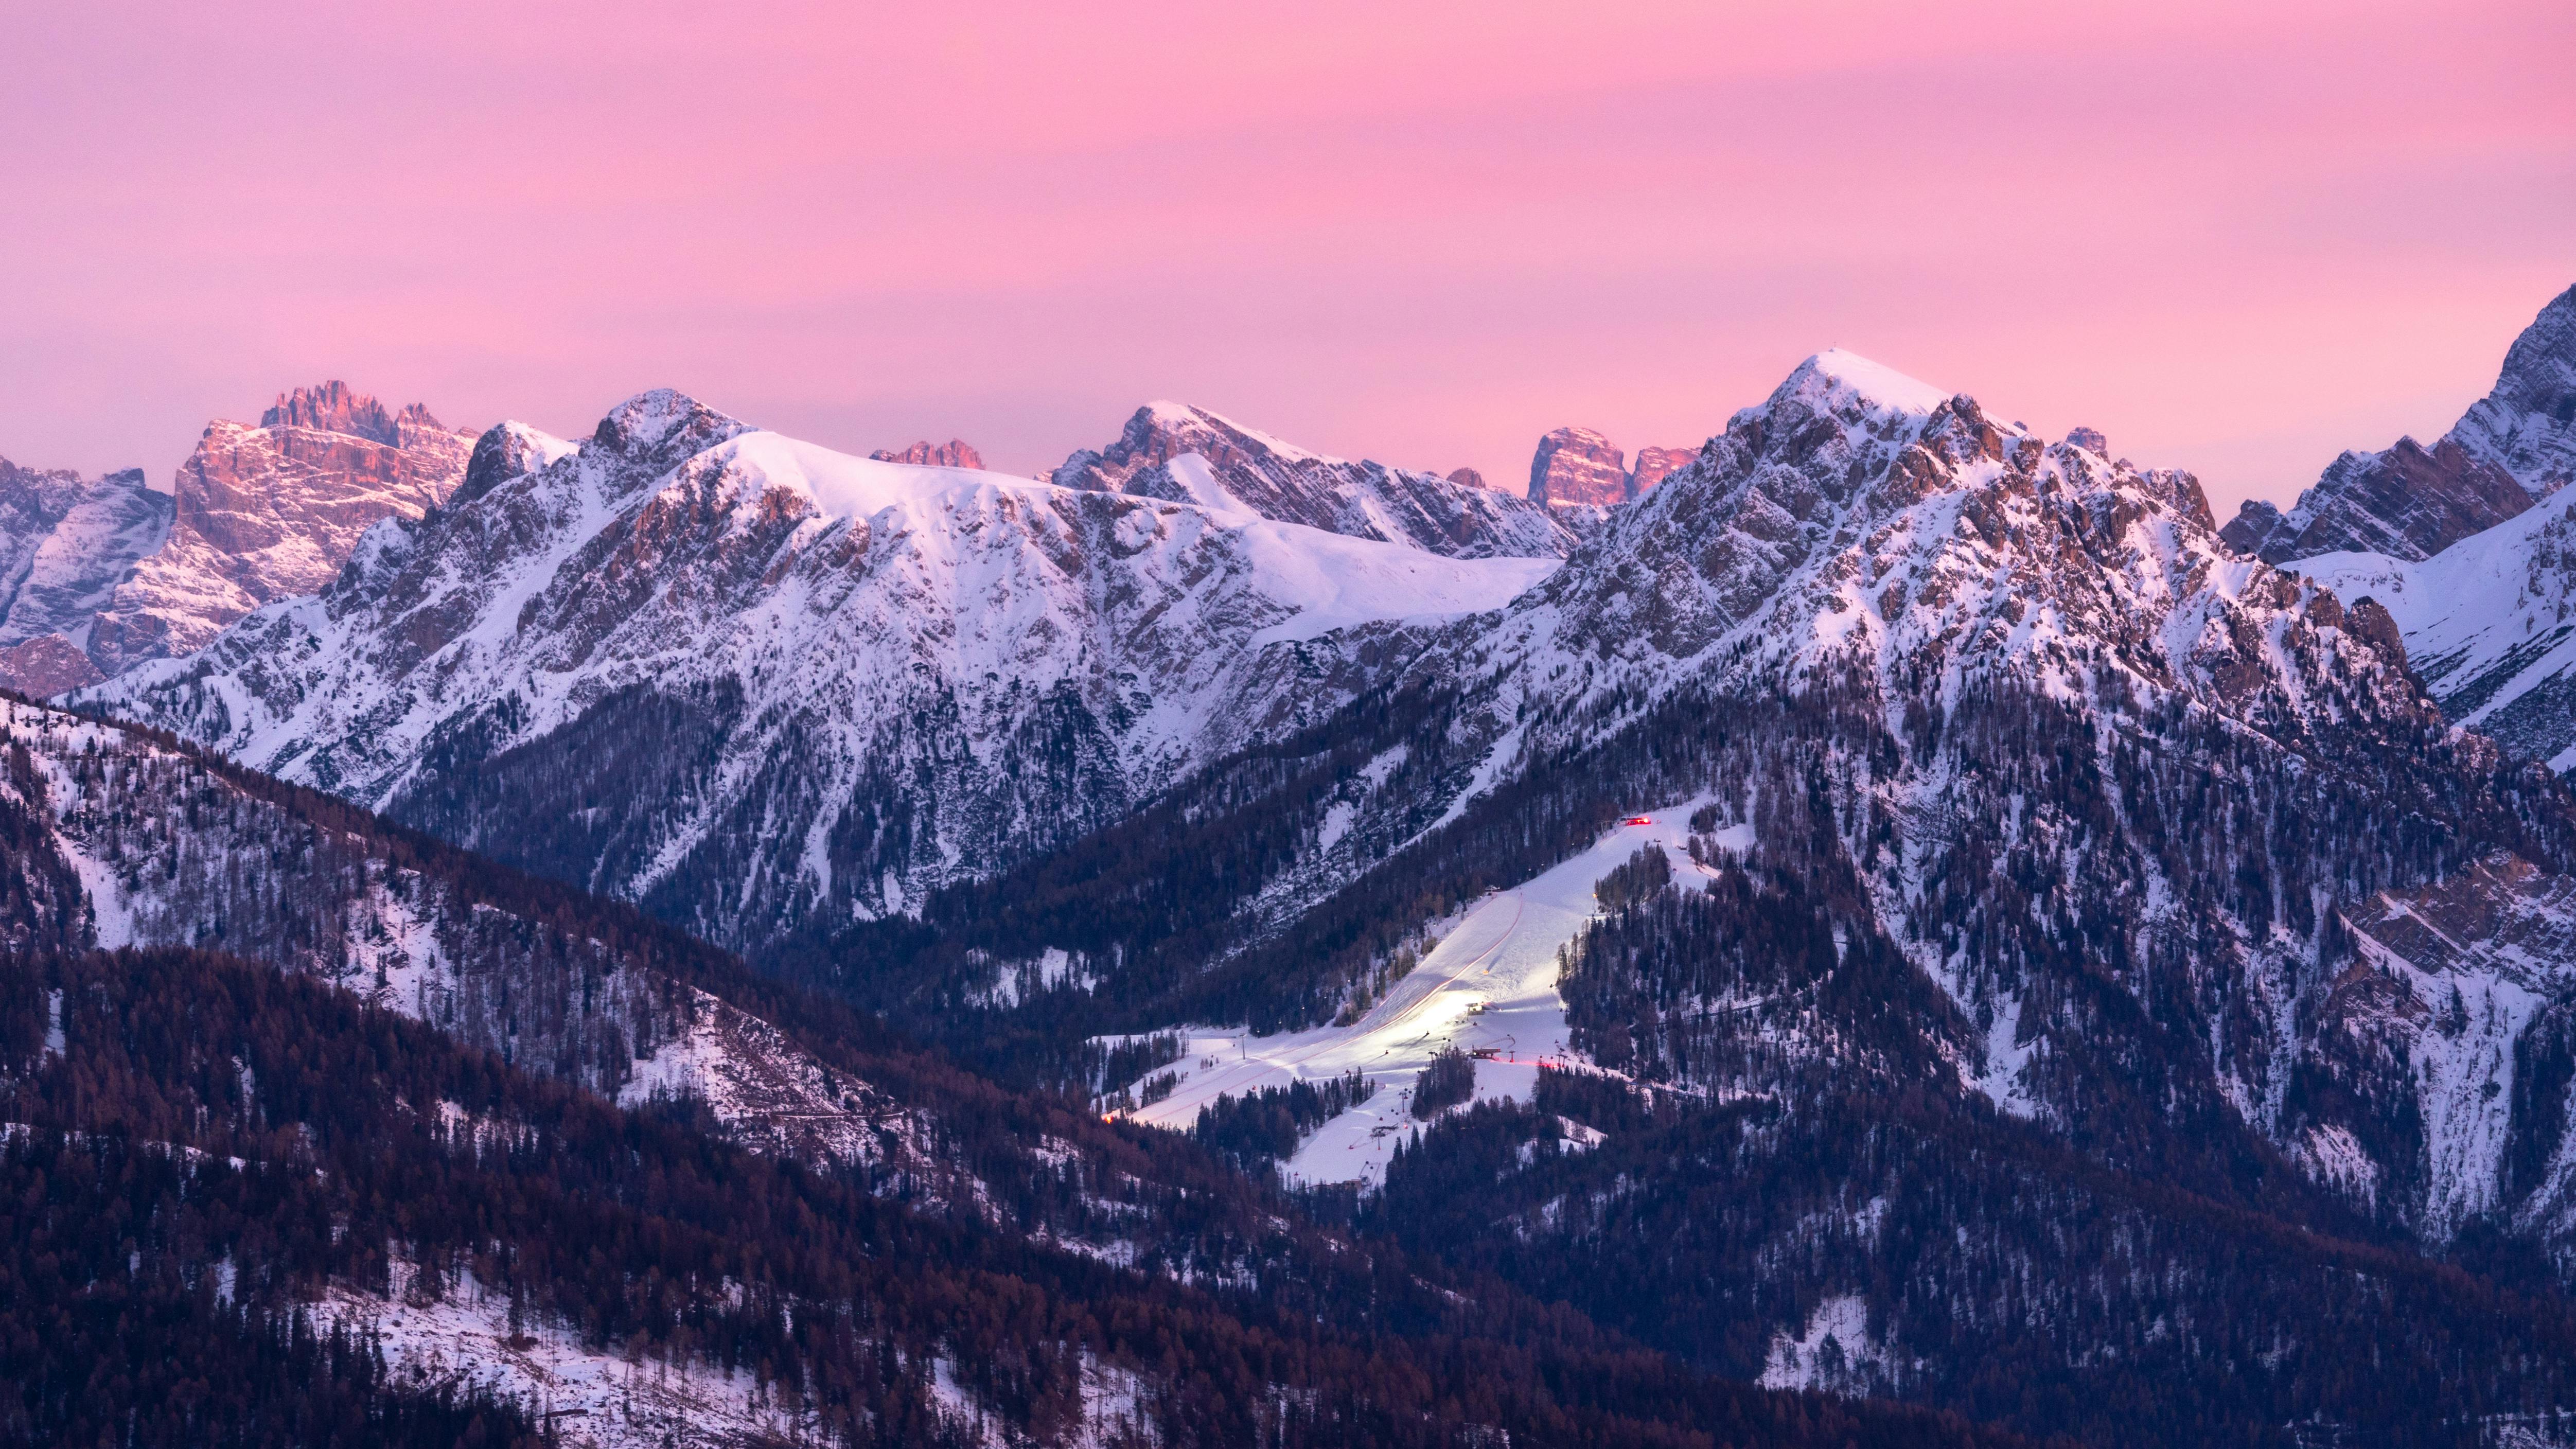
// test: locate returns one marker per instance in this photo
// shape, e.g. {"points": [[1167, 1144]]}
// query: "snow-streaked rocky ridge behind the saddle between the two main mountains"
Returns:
{"points": [[1189, 454]]}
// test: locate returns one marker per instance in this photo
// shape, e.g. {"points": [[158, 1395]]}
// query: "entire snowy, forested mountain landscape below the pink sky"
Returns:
{"points": [[1879, 928]]}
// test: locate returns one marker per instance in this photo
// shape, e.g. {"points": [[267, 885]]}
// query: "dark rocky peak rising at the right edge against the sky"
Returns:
{"points": [[2410, 503]]}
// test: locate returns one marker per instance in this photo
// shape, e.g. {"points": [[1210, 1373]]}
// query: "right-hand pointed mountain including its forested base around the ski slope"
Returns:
{"points": [[2026, 804]]}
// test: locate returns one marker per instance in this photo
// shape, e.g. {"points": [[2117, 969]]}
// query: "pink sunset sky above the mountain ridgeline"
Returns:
{"points": [[2237, 238]]}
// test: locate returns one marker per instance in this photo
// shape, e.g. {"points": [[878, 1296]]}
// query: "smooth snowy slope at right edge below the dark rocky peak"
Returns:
{"points": [[2490, 624]]}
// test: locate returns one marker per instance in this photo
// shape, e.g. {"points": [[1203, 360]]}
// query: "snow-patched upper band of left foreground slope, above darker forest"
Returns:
{"points": [[171, 853]]}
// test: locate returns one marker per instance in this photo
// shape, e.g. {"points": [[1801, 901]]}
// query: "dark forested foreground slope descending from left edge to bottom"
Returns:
{"points": [[385, 1170]]}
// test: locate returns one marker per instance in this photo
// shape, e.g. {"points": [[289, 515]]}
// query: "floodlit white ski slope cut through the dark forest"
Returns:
{"points": [[1490, 984]]}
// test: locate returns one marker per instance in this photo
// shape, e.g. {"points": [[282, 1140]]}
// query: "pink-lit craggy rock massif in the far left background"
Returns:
{"points": [[269, 513]]}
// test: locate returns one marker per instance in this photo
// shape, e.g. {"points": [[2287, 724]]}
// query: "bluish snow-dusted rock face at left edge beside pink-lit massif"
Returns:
{"points": [[66, 544]]}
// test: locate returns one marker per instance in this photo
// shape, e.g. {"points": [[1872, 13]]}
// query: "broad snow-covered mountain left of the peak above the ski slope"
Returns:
{"points": [[753, 683]]}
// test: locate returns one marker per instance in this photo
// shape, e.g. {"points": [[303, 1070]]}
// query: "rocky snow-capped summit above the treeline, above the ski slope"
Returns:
{"points": [[1864, 511]]}
